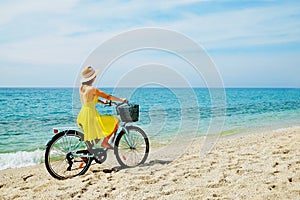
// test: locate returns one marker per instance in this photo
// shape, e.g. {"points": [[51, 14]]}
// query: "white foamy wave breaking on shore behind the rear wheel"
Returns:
{"points": [[21, 159]]}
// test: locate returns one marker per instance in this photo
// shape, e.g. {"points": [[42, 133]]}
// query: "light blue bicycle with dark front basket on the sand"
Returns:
{"points": [[67, 154]]}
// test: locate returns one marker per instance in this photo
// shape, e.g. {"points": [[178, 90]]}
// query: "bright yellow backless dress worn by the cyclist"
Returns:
{"points": [[94, 125]]}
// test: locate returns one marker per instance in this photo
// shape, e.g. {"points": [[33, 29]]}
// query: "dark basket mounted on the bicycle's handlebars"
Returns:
{"points": [[129, 113]]}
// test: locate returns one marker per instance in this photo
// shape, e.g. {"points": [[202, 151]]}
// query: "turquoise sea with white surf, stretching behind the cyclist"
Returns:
{"points": [[28, 115]]}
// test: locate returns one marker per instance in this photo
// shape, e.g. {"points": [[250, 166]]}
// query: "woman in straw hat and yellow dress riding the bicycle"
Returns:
{"points": [[95, 126]]}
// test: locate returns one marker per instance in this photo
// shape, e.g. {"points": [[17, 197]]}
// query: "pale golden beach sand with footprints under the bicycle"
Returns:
{"points": [[263, 165]]}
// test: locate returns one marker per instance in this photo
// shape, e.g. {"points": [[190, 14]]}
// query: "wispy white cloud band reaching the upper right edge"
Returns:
{"points": [[243, 28]]}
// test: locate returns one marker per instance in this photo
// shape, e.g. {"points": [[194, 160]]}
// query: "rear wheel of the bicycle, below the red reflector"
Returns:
{"points": [[66, 155]]}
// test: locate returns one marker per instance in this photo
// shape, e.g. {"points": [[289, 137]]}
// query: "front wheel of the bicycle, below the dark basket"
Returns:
{"points": [[132, 148]]}
